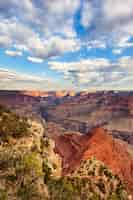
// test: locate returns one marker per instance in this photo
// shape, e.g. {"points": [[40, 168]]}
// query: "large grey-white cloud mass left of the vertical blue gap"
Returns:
{"points": [[34, 24]]}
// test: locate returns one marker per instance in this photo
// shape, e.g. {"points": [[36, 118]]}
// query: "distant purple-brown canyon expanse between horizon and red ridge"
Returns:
{"points": [[78, 112]]}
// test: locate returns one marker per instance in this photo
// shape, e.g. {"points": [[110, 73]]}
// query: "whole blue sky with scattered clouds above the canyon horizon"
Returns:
{"points": [[66, 44]]}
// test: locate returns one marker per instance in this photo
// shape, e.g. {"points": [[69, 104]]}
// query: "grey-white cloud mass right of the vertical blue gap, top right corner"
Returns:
{"points": [[110, 22]]}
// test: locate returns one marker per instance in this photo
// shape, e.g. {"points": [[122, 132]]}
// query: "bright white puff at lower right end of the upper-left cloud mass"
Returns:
{"points": [[52, 46]]}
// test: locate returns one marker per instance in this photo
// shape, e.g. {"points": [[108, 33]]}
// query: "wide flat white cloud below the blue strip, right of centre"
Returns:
{"points": [[90, 71]]}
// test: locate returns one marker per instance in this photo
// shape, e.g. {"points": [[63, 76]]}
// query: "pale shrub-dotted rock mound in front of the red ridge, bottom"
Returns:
{"points": [[92, 180]]}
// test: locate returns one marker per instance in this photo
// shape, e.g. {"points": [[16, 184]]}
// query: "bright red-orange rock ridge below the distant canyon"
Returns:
{"points": [[73, 148]]}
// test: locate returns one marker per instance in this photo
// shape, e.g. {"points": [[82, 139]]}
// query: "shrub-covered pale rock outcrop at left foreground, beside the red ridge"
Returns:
{"points": [[27, 158]]}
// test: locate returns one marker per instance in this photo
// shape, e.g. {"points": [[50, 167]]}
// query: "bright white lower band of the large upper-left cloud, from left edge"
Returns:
{"points": [[25, 39]]}
